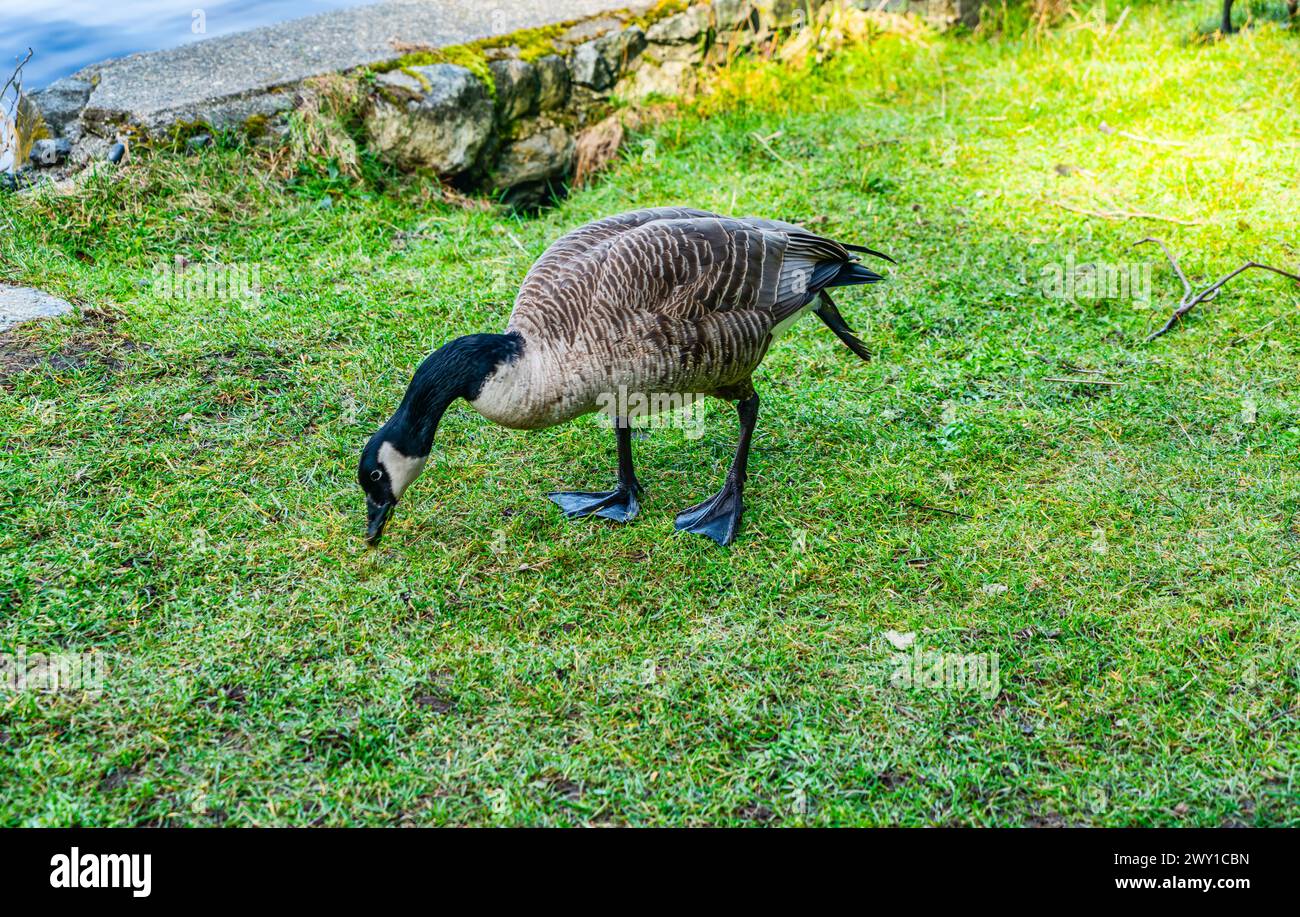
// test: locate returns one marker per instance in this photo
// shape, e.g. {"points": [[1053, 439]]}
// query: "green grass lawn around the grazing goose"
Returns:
{"points": [[177, 481]]}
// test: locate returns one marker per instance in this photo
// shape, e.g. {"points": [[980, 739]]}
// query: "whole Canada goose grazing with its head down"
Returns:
{"points": [[657, 302]]}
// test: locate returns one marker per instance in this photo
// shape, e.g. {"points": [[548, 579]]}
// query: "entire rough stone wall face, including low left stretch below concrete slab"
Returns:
{"points": [[513, 115]]}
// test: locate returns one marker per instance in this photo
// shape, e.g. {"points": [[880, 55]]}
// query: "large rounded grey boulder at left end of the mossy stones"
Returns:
{"points": [[435, 118]]}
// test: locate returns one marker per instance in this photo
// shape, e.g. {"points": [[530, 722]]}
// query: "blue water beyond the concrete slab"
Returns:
{"points": [[66, 36]]}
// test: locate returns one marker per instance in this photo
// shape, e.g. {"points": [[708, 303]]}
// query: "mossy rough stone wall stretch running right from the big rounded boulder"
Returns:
{"points": [[518, 126]]}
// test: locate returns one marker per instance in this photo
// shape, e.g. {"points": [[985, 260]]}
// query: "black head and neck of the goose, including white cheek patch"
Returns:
{"points": [[396, 456]]}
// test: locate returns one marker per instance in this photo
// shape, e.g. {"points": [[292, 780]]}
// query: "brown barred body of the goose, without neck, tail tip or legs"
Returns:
{"points": [[664, 301]]}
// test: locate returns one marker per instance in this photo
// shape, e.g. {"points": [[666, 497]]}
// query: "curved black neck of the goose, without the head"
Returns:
{"points": [[456, 370]]}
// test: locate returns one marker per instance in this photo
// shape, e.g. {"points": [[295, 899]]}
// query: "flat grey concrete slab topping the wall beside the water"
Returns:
{"points": [[236, 73]]}
